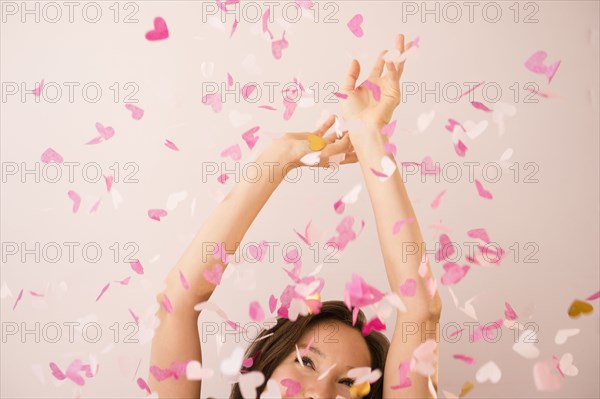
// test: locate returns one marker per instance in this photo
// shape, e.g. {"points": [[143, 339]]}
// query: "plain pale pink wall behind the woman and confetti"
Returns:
{"points": [[559, 214]]}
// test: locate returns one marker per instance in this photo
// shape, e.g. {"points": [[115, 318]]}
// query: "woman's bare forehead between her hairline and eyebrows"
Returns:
{"points": [[337, 342]]}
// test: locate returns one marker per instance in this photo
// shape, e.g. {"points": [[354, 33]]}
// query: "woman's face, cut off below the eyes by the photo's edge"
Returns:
{"points": [[337, 348]]}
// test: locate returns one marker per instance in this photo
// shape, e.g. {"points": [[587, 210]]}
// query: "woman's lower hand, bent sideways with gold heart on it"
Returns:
{"points": [[298, 145]]}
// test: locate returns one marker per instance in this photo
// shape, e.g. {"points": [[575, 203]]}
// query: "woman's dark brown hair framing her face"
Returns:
{"points": [[274, 349]]}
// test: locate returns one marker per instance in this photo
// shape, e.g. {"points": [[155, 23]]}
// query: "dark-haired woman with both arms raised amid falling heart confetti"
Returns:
{"points": [[177, 338]]}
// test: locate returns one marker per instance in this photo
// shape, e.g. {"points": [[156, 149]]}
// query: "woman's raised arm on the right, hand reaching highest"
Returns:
{"points": [[402, 252]]}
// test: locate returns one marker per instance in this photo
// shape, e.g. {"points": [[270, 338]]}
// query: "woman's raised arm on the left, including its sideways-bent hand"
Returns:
{"points": [[176, 339]]}
